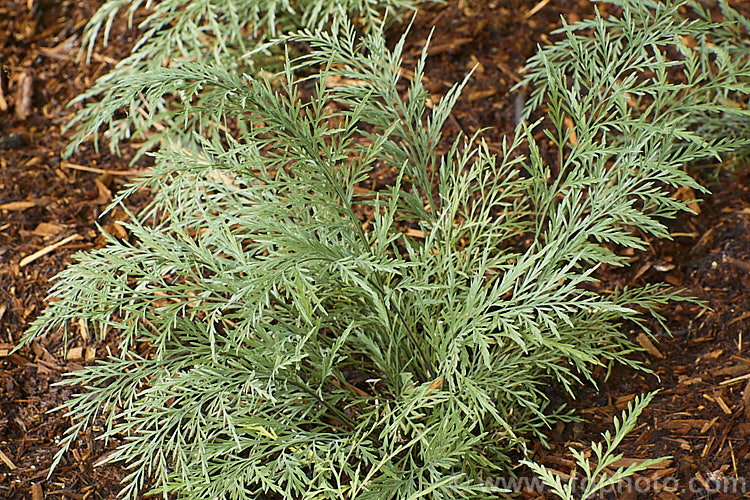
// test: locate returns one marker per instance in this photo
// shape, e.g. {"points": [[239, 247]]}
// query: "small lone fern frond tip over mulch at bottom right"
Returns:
{"points": [[596, 479]]}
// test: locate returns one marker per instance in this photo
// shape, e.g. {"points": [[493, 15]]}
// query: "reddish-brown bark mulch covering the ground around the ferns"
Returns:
{"points": [[701, 417]]}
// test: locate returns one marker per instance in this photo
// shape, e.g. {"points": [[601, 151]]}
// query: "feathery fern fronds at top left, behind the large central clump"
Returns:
{"points": [[176, 32]]}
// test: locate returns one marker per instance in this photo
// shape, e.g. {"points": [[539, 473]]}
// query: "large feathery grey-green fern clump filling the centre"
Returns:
{"points": [[284, 329]]}
